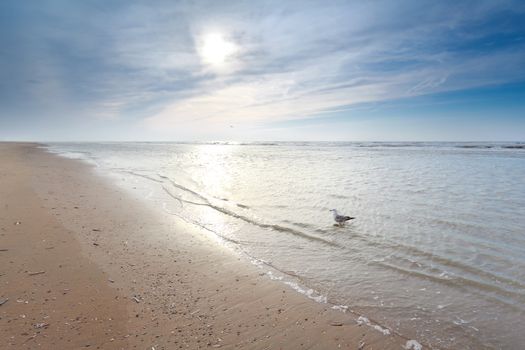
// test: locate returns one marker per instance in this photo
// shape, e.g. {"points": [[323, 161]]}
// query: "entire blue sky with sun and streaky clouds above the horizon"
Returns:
{"points": [[103, 70]]}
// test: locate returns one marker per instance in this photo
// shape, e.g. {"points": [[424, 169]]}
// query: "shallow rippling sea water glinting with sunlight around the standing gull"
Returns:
{"points": [[437, 249]]}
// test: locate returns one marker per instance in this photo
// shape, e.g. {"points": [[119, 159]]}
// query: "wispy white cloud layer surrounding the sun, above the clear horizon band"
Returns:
{"points": [[139, 63]]}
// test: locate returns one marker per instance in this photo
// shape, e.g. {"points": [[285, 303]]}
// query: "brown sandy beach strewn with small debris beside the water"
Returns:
{"points": [[86, 265]]}
